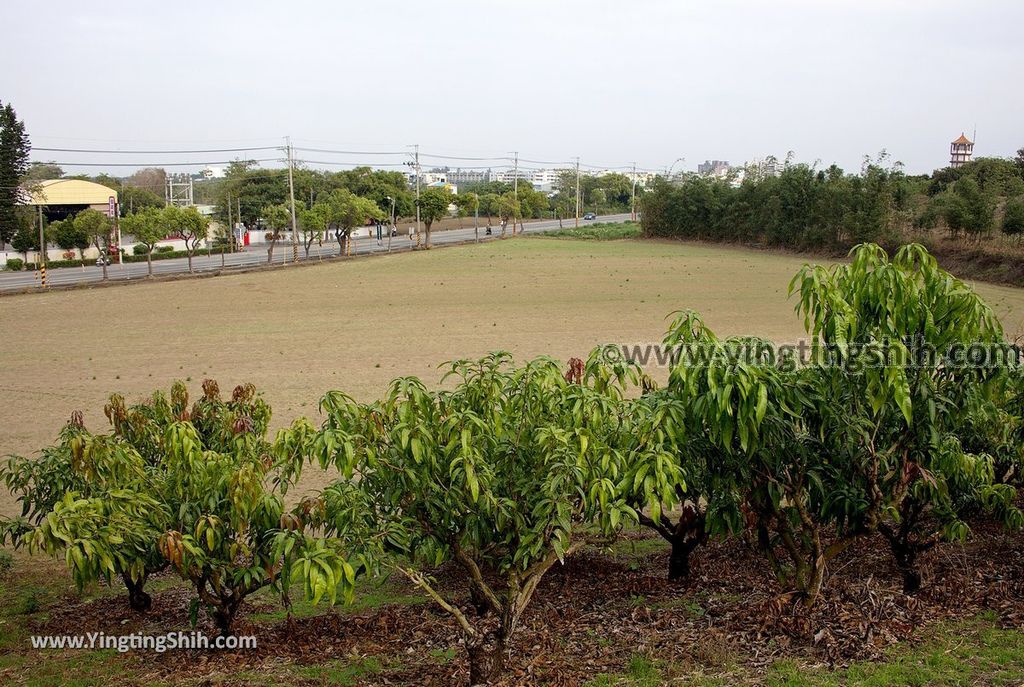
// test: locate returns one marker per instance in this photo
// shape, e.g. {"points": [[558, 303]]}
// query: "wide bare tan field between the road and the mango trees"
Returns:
{"points": [[298, 332]]}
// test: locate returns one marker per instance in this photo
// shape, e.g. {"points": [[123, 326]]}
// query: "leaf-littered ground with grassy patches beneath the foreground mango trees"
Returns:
{"points": [[607, 618]]}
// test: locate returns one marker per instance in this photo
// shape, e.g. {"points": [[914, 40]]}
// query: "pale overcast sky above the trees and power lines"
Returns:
{"points": [[613, 82]]}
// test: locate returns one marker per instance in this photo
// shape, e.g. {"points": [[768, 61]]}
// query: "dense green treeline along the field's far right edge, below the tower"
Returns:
{"points": [[802, 207]]}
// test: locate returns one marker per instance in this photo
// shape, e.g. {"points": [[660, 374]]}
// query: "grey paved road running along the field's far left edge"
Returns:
{"points": [[254, 256]]}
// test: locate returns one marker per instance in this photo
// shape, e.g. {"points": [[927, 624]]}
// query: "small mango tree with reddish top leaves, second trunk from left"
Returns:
{"points": [[231, 537]]}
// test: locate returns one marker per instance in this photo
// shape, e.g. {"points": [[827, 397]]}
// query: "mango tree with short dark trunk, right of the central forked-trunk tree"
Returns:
{"points": [[680, 457]]}
